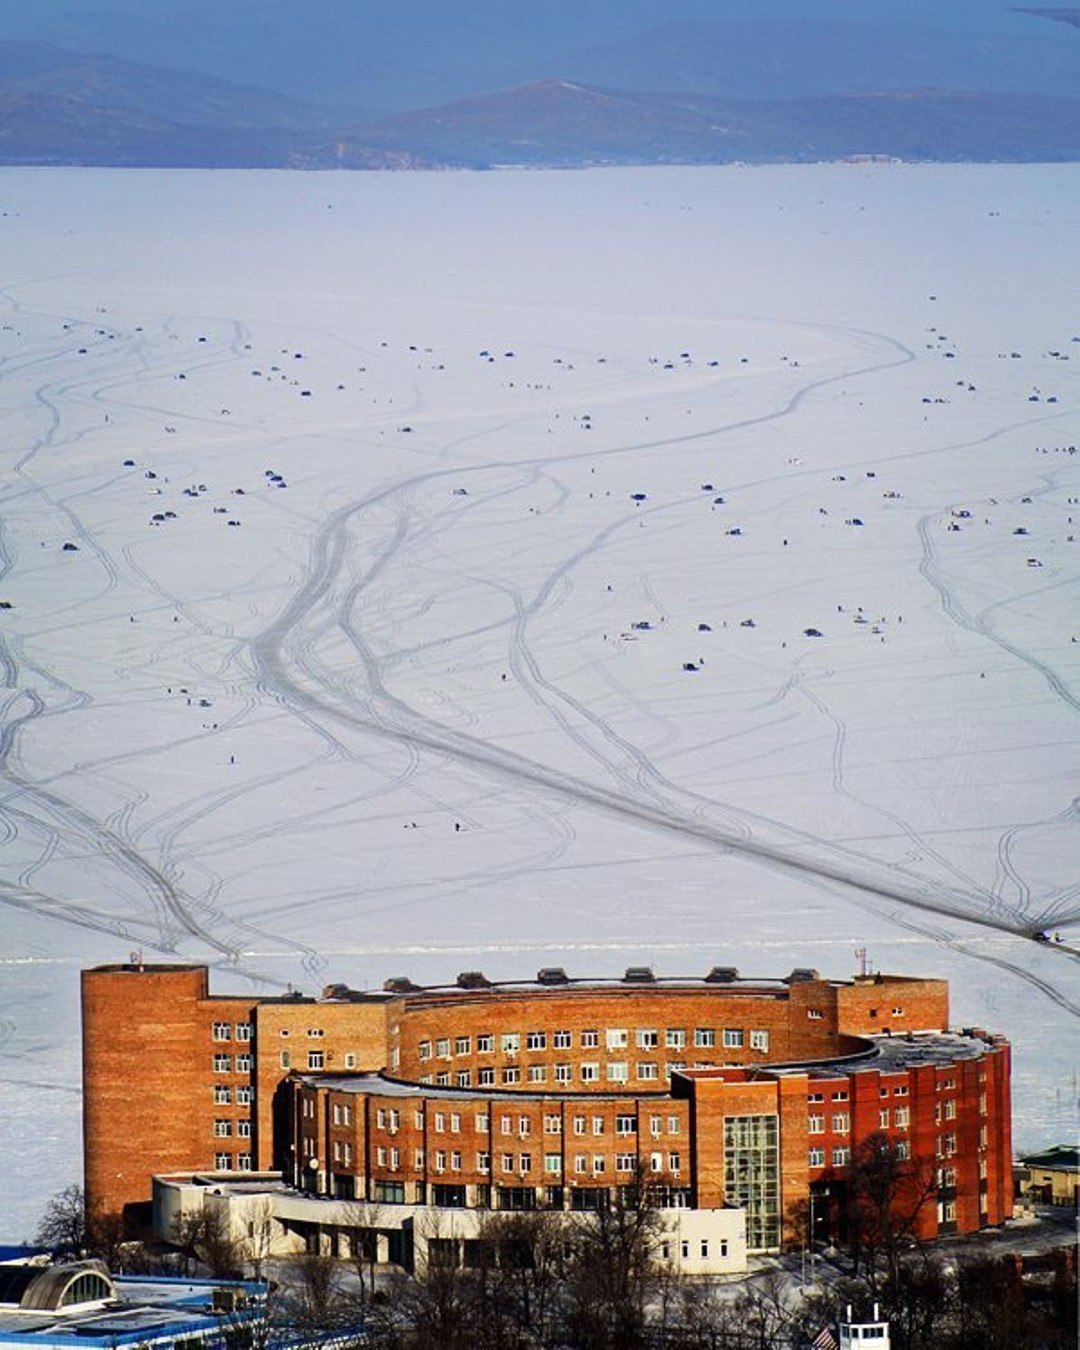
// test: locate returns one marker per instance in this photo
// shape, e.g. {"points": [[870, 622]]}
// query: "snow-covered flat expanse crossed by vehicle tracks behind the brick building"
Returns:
{"points": [[421, 573]]}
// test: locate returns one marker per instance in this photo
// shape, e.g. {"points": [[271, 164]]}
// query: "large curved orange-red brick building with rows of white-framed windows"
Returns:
{"points": [[727, 1093]]}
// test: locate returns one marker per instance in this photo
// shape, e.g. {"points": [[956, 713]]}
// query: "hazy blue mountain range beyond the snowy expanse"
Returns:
{"points": [[699, 91]]}
